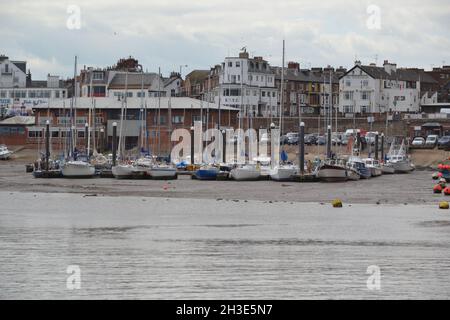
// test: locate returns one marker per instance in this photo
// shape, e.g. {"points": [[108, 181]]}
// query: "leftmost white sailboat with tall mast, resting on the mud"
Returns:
{"points": [[73, 167]]}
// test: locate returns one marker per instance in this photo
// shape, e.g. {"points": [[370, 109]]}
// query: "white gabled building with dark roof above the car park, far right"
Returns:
{"points": [[370, 89]]}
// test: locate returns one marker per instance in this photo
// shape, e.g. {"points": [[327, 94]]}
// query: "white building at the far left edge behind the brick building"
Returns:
{"points": [[19, 94]]}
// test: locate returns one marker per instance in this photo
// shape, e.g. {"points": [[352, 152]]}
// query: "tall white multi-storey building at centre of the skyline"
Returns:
{"points": [[247, 84]]}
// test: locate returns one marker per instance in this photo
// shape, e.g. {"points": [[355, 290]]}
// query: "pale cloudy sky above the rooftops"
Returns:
{"points": [[201, 33]]}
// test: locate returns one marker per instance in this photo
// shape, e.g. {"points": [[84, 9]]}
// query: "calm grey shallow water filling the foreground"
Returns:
{"points": [[160, 248]]}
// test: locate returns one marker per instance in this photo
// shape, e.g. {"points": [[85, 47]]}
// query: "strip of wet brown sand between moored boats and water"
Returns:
{"points": [[414, 188]]}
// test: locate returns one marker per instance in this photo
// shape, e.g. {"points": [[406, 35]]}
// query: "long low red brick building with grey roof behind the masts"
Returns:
{"points": [[174, 113]]}
